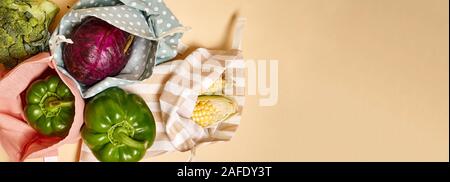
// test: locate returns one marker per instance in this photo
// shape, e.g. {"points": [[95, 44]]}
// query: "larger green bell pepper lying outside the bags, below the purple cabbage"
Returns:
{"points": [[119, 126]]}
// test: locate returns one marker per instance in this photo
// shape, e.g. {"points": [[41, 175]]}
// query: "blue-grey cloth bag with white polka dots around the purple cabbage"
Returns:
{"points": [[156, 29]]}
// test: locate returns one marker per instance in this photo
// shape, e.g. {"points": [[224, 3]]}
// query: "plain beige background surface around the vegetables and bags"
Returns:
{"points": [[359, 80]]}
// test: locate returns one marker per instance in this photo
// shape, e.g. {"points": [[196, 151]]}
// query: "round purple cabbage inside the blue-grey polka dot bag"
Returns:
{"points": [[99, 50]]}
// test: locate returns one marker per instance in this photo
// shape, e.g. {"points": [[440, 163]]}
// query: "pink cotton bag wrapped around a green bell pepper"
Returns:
{"points": [[19, 140]]}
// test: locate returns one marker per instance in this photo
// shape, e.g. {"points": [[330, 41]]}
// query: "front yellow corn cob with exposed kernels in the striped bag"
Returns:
{"points": [[210, 110]]}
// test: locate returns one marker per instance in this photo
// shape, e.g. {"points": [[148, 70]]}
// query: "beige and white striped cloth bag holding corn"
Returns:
{"points": [[172, 102]]}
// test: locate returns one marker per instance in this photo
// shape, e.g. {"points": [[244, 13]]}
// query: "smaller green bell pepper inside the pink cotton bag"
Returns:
{"points": [[50, 107]]}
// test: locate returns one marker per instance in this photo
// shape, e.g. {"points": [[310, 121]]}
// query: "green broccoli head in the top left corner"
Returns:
{"points": [[24, 29]]}
